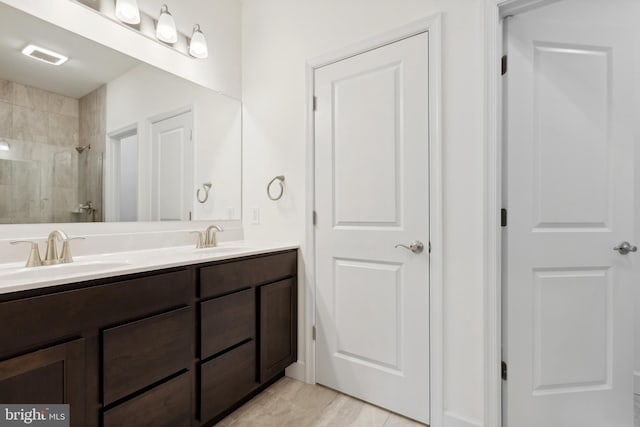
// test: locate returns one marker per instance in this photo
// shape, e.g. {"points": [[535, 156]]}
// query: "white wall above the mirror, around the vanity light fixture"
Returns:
{"points": [[219, 20]]}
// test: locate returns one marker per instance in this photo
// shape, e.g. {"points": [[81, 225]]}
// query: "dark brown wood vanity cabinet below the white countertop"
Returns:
{"points": [[177, 346]]}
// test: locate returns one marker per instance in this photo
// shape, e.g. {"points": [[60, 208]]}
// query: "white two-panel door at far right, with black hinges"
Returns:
{"points": [[570, 168]]}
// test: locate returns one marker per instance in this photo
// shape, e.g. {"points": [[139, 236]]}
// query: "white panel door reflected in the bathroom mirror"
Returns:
{"points": [[172, 190]]}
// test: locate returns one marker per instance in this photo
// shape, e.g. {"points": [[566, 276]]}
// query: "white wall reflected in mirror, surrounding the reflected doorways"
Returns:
{"points": [[146, 92]]}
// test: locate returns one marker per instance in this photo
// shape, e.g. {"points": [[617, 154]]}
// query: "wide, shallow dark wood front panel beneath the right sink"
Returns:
{"points": [[228, 277]]}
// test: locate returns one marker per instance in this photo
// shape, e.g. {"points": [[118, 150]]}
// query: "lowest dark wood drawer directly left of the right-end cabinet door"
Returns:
{"points": [[227, 379]]}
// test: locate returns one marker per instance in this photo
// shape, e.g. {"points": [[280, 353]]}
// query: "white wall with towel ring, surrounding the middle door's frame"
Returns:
{"points": [[278, 37]]}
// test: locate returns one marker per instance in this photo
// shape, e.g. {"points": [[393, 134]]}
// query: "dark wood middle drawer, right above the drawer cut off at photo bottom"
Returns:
{"points": [[141, 353]]}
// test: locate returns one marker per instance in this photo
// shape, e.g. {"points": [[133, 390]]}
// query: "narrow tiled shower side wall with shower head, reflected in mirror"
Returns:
{"points": [[93, 129]]}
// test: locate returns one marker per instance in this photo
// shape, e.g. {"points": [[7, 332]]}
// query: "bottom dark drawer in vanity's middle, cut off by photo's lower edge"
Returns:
{"points": [[167, 405]]}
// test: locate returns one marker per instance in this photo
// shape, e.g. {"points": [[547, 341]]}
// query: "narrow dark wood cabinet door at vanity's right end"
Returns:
{"points": [[278, 327]]}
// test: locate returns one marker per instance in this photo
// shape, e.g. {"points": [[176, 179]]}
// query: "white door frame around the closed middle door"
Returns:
{"points": [[432, 25]]}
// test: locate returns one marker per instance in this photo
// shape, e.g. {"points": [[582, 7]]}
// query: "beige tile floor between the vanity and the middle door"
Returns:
{"points": [[292, 403]]}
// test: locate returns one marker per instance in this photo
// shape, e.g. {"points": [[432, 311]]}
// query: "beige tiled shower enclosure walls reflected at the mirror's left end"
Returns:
{"points": [[39, 175]]}
